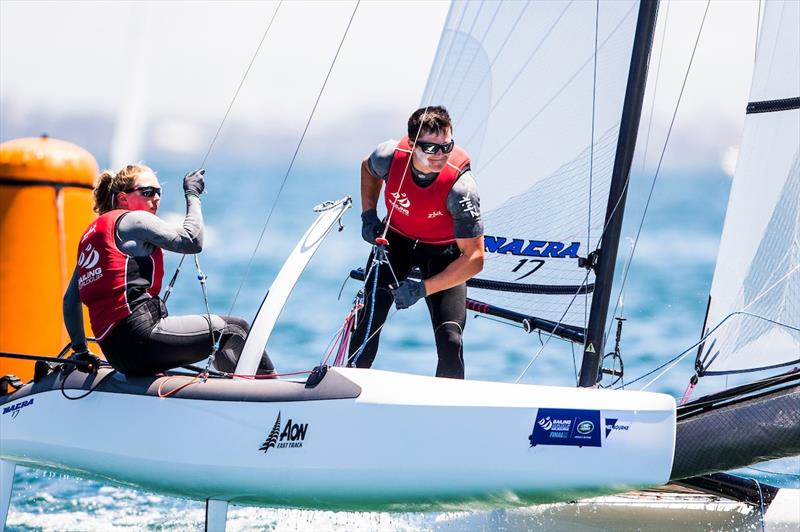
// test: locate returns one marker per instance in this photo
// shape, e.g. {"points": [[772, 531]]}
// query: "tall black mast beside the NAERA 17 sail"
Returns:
{"points": [[607, 252]]}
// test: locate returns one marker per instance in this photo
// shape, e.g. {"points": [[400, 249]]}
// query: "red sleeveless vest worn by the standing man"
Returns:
{"points": [[420, 213]]}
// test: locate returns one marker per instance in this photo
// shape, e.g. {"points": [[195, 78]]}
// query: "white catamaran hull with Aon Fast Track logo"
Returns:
{"points": [[404, 442]]}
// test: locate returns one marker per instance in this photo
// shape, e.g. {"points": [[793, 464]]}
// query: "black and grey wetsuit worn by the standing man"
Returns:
{"points": [[447, 307]]}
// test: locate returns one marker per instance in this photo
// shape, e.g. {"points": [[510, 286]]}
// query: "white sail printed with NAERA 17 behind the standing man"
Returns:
{"points": [[541, 129]]}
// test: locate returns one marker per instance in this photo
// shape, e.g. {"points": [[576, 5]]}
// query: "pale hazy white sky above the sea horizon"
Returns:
{"points": [[171, 69]]}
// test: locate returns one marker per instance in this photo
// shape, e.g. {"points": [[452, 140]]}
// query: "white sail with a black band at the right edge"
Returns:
{"points": [[758, 267]]}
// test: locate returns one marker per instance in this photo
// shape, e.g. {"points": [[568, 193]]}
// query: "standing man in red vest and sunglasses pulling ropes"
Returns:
{"points": [[434, 223]]}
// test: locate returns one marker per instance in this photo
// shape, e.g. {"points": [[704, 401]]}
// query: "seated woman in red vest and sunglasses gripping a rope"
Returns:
{"points": [[119, 273]]}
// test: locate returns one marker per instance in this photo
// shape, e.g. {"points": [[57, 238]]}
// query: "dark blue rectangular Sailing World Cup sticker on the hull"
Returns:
{"points": [[563, 426]]}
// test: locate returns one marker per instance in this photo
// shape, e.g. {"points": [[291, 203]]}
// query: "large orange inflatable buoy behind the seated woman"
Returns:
{"points": [[45, 205]]}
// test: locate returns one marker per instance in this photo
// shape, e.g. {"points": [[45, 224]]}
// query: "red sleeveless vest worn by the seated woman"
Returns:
{"points": [[110, 283]]}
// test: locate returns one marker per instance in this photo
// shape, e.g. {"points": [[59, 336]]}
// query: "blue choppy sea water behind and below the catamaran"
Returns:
{"points": [[664, 304]]}
